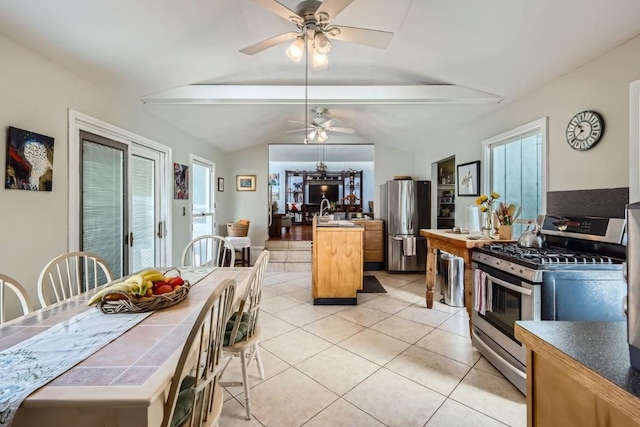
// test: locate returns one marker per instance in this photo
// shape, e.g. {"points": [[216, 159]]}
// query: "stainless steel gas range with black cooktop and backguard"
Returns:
{"points": [[576, 276]]}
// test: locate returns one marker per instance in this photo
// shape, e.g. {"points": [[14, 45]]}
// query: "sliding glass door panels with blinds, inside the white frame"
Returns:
{"points": [[120, 204]]}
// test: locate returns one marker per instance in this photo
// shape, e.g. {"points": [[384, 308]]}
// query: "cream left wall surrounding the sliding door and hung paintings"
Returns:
{"points": [[36, 95]]}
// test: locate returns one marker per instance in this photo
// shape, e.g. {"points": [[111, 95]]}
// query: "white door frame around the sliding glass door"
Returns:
{"points": [[79, 121]]}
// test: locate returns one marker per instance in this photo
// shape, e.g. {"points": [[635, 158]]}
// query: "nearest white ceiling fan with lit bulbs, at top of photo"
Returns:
{"points": [[313, 19]]}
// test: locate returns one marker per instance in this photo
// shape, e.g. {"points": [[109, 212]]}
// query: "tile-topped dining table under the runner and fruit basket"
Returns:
{"points": [[124, 383]]}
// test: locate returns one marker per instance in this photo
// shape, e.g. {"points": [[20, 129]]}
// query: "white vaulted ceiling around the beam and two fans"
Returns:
{"points": [[140, 48]]}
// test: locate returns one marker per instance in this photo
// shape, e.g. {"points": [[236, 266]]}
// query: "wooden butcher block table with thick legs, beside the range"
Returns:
{"points": [[456, 244]]}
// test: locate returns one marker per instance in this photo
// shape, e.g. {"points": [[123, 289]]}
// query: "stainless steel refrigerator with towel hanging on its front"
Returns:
{"points": [[405, 207]]}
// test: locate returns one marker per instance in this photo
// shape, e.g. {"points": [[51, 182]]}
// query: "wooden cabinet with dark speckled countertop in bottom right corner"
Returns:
{"points": [[579, 374]]}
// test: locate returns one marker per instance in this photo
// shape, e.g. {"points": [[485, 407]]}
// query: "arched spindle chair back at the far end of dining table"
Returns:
{"points": [[209, 251]]}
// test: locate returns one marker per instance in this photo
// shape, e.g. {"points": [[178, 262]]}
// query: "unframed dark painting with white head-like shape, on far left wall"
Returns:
{"points": [[29, 161]]}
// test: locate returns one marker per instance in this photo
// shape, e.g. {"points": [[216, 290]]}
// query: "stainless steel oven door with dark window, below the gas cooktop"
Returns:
{"points": [[512, 299]]}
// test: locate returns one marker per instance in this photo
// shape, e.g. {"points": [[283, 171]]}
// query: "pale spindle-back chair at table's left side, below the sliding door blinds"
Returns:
{"points": [[71, 274]]}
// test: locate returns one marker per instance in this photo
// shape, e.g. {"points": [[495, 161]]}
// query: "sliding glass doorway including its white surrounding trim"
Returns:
{"points": [[119, 198]]}
